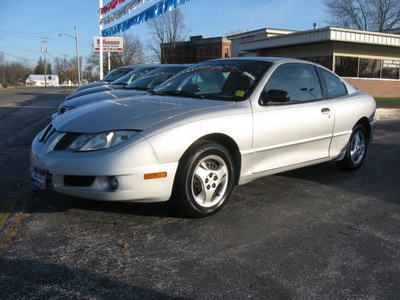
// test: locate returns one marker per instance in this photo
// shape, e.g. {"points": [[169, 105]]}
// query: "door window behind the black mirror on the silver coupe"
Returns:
{"points": [[299, 80]]}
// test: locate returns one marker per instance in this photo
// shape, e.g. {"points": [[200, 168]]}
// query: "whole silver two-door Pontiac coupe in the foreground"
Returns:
{"points": [[216, 124]]}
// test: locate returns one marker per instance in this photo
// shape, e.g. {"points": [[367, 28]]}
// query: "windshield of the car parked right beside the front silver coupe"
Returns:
{"points": [[154, 78]]}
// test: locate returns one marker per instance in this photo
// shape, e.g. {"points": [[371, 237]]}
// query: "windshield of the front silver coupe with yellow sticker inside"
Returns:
{"points": [[221, 79]]}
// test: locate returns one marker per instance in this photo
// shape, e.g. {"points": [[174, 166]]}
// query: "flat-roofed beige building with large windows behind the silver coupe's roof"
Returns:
{"points": [[349, 53]]}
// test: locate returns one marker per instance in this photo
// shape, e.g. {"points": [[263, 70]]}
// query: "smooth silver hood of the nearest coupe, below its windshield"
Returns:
{"points": [[137, 113]]}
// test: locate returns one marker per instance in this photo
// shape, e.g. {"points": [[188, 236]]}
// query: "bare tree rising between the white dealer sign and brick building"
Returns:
{"points": [[166, 31]]}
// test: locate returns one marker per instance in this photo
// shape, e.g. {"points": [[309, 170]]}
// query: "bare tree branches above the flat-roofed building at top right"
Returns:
{"points": [[374, 15]]}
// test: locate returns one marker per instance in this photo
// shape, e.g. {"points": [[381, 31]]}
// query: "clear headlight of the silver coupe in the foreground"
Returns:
{"points": [[100, 141]]}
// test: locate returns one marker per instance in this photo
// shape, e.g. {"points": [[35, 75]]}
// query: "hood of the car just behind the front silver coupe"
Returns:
{"points": [[108, 95]]}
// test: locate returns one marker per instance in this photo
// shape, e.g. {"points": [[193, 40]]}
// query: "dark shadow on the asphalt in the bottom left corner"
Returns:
{"points": [[22, 280]]}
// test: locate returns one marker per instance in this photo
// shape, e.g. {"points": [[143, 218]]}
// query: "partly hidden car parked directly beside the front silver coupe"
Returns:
{"points": [[139, 86]]}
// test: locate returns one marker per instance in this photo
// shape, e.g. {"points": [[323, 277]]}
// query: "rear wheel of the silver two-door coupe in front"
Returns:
{"points": [[356, 149]]}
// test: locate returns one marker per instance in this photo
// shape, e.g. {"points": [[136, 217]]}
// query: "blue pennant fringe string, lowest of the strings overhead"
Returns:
{"points": [[148, 14]]}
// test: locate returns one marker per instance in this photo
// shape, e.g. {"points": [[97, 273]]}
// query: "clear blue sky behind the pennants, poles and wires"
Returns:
{"points": [[24, 23]]}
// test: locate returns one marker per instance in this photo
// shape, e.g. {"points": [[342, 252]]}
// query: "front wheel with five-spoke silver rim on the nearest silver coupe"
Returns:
{"points": [[205, 179]]}
